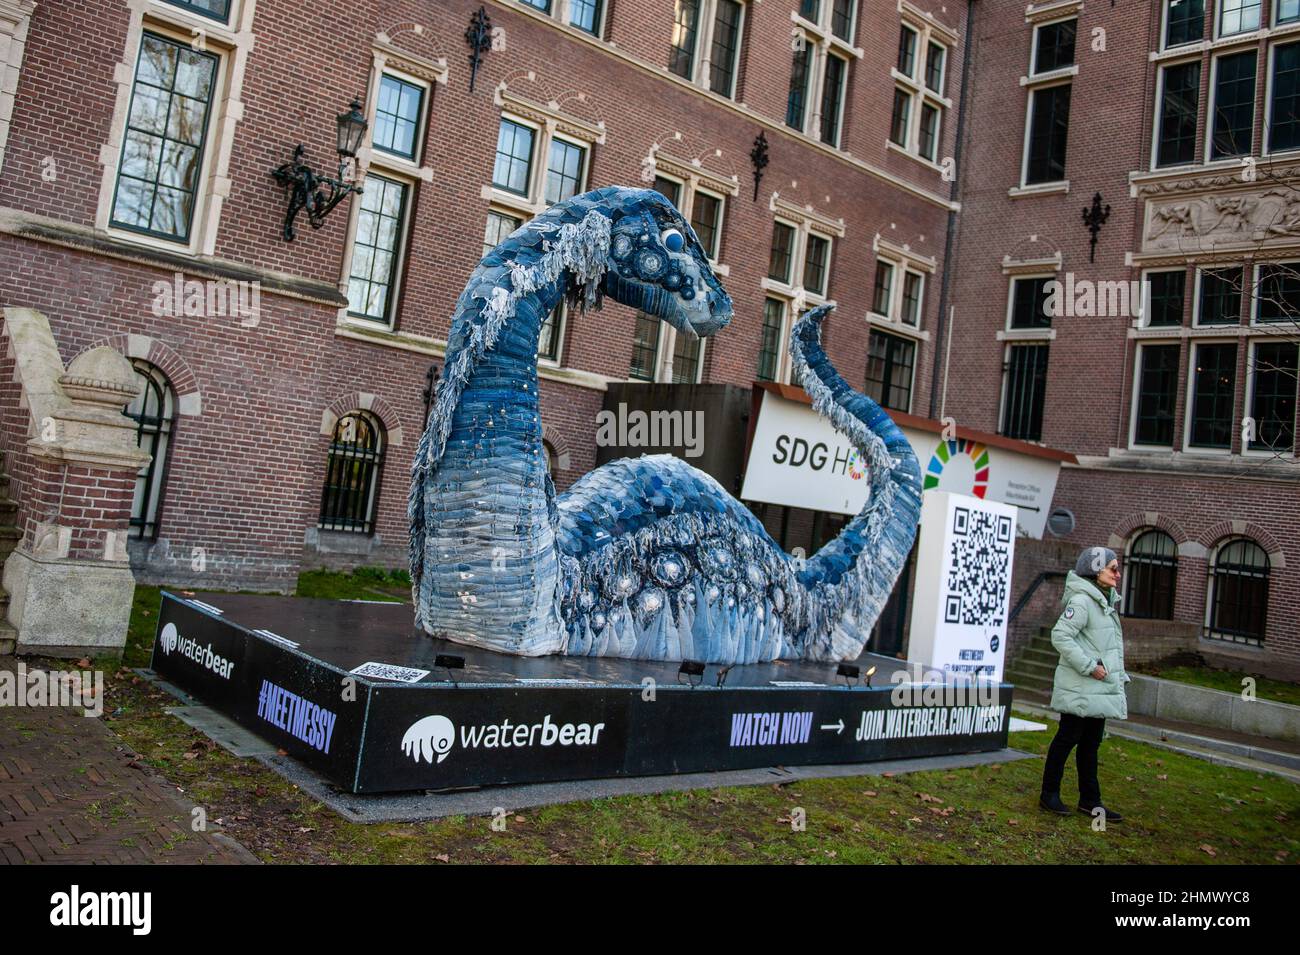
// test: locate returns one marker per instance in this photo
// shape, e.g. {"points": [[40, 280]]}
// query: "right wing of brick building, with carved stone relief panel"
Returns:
{"points": [[1182, 411]]}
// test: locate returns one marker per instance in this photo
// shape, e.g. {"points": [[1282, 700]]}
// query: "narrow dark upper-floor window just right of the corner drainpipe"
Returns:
{"points": [[1047, 125]]}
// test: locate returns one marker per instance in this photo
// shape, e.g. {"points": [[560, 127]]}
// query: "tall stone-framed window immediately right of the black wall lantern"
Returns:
{"points": [[398, 107]]}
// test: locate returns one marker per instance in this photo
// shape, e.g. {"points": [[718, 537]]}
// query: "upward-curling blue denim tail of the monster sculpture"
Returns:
{"points": [[850, 580]]}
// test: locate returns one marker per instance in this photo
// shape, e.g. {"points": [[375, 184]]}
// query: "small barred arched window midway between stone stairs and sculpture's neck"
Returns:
{"points": [[353, 475]]}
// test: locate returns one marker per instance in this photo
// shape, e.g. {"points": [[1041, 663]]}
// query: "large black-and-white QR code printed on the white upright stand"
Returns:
{"points": [[980, 568]]}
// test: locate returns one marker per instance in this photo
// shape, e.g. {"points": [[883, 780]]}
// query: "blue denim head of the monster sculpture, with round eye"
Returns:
{"points": [[658, 266]]}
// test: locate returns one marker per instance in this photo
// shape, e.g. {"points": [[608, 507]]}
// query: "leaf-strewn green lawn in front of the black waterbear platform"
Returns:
{"points": [[1178, 810]]}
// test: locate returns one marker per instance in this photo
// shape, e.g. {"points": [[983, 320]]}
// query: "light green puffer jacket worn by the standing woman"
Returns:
{"points": [[1089, 632]]}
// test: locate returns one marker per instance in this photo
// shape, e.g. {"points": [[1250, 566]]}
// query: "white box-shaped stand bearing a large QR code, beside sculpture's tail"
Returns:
{"points": [[964, 587]]}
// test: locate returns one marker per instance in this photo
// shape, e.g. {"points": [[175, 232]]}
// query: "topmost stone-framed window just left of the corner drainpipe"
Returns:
{"points": [[916, 121]]}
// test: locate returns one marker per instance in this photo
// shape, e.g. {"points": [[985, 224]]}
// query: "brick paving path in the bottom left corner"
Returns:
{"points": [[71, 795]]}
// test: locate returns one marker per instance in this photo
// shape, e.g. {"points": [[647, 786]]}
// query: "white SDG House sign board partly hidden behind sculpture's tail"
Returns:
{"points": [[800, 461]]}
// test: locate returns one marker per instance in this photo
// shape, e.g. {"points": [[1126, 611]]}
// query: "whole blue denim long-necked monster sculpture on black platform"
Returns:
{"points": [[643, 558]]}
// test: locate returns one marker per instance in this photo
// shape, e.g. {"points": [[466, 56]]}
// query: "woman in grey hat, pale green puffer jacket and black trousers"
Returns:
{"points": [[1090, 680]]}
